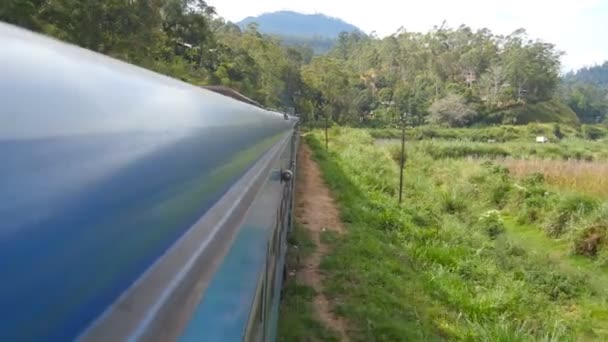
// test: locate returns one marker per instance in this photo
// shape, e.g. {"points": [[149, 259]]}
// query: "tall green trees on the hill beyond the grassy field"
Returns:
{"points": [[447, 76]]}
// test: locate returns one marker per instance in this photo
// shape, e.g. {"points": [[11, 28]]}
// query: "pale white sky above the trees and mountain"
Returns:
{"points": [[577, 27]]}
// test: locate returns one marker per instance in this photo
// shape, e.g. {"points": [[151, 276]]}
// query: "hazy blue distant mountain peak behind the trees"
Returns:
{"points": [[316, 31]]}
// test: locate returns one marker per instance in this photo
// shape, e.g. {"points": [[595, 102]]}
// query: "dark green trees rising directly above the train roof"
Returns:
{"points": [[181, 38]]}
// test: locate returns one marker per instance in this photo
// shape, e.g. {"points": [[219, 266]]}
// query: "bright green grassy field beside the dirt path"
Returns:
{"points": [[475, 252]]}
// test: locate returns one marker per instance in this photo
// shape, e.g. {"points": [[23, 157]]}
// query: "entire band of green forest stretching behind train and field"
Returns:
{"points": [[448, 76]]}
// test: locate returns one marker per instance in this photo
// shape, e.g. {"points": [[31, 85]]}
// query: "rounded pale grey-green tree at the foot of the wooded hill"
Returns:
{"points": [[452, 111]]}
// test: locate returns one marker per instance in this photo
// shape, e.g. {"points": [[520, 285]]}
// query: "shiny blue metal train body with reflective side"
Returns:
{"points": [[134, 206]]}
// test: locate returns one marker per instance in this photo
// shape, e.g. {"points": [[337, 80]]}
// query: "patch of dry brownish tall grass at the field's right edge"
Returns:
{"points": [[581, 176]]}
